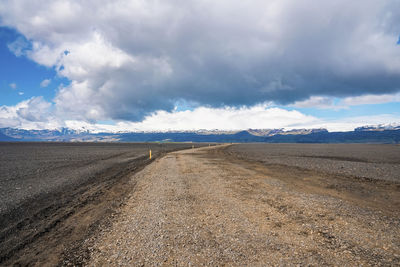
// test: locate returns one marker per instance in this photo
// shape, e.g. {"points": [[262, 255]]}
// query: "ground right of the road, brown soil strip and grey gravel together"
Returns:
{"points": [[337, 178]]}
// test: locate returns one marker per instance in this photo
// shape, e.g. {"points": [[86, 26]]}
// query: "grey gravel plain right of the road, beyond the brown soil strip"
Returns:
{"points": [[359, 160]]}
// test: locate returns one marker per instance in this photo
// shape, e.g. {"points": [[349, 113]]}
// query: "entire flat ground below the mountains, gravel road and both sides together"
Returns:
{"points": [[240, 204]]}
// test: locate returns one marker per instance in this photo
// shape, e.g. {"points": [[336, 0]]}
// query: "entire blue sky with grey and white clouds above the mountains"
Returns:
{"points": [[179, 64]]}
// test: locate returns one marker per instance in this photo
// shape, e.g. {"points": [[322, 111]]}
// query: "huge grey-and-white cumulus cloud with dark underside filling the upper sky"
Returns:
{"points": [[129, 58]]}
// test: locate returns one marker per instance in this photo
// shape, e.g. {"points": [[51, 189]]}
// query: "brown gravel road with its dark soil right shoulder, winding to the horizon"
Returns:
{"points": [[198, 207]]}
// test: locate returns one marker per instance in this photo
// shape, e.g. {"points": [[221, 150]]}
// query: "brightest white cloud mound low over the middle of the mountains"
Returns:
{"points": [[227, 118]]}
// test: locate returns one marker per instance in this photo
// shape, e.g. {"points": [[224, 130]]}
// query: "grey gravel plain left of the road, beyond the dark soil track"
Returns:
{"points": [[30, 169]]}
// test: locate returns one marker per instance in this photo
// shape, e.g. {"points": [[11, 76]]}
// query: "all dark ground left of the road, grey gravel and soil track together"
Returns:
{"points": [[52, 195]]}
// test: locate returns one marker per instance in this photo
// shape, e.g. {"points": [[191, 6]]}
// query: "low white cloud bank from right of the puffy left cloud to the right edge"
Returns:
{"points": [[256, 117]]}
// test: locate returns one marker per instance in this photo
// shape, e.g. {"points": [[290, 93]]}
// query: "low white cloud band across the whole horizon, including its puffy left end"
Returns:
{"points": [[36, 113]]}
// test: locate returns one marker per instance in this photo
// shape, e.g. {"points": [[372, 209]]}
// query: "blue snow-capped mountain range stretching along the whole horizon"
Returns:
{"points": [[366, 134]]}
